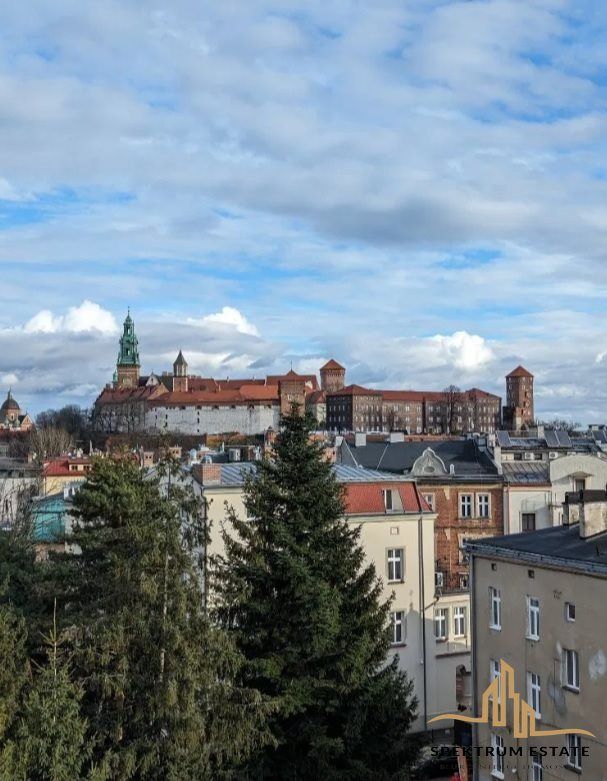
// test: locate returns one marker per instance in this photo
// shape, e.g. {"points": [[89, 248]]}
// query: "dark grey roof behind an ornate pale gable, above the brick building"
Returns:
{"points": [[463, 454]]}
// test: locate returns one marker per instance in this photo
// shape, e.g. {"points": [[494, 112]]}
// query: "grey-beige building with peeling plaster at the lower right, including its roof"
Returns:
{"points": [[538, 607]]}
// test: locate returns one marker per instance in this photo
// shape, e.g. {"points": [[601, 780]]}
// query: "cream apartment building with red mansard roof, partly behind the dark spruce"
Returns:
{"points": [[430, 633]]}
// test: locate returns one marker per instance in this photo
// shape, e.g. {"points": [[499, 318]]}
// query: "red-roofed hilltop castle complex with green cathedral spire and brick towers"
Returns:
{"points": [[180, 402]]}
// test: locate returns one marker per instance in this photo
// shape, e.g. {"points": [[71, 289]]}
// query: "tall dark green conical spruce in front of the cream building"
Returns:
{"points": [[305, 608]]}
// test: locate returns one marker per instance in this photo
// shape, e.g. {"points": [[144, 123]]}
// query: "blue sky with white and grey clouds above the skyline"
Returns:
{"points": [[416, 189]]}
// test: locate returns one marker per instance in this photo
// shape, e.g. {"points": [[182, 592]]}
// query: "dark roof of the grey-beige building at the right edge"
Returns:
{"points": [[556, 546]]}
